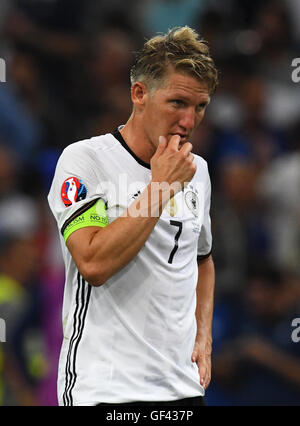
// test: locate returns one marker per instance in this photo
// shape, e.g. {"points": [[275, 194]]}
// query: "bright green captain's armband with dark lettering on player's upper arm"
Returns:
{"points": [[94, 216]]}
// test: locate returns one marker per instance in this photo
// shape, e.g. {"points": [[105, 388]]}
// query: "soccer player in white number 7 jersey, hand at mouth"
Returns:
{"points": [[132, 209]]}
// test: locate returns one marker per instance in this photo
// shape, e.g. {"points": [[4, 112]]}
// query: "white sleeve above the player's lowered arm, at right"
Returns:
{"points": [[205, 237]]}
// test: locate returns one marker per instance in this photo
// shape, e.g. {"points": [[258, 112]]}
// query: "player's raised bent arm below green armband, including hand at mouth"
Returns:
{"points": [[101, 252]]}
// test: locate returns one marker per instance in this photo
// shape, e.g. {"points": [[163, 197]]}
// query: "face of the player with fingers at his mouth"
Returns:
{"points": [[176, 108]]}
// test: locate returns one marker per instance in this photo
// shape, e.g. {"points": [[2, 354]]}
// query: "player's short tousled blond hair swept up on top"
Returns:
{"points": [[180, 49]]}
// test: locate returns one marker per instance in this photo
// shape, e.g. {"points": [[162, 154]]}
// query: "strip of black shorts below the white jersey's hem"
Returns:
{"points": [[196, 401]]}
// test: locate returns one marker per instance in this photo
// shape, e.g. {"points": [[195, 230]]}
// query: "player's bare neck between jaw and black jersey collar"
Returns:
{"points": [[136, 138]]}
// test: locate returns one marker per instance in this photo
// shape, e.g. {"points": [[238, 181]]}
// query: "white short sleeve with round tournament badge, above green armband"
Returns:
{"points": [[76, 184]]}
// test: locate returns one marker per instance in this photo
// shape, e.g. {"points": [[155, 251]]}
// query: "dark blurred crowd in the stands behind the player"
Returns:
{"points": [[68, 79]]}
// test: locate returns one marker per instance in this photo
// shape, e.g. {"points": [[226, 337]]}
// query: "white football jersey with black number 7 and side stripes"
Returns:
{"points": [[130, 339]]}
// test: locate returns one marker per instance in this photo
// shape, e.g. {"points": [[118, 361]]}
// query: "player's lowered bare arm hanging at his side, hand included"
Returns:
{"points": [[204, 312]]}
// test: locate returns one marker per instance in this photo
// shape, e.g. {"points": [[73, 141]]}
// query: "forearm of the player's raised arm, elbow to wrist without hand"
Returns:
{"points": [[112, 248]]}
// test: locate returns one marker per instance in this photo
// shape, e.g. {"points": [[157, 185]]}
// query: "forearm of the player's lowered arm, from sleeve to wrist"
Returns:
{"points": [[205, 301]]}
